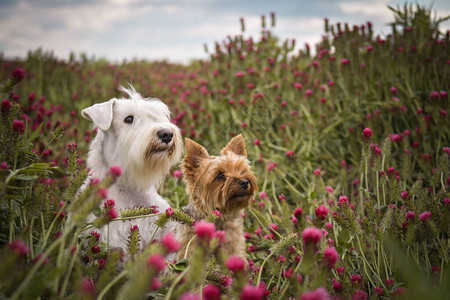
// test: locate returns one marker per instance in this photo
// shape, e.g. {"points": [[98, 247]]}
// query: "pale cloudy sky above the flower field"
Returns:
{"points": [[173, 29]]}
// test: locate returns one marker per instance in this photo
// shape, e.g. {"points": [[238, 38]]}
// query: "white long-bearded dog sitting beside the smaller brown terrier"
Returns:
{"points": [[137, 135]]}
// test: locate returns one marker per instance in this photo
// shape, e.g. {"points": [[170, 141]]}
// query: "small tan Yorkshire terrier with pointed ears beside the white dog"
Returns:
{"points": [[224, 183]]}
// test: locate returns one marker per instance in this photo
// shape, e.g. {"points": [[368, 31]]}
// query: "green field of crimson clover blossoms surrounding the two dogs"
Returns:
{"points": [[350, 147]]}
